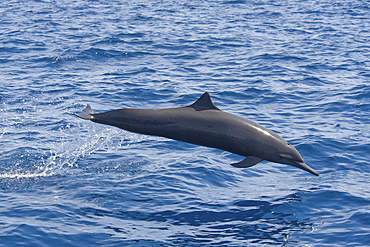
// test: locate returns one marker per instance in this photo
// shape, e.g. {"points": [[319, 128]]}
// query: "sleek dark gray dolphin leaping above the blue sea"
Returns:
{"points": [[202, 123]]}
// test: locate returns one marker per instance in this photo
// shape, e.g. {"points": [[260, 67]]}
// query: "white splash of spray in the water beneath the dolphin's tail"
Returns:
{"points": [[62, 155]]}
